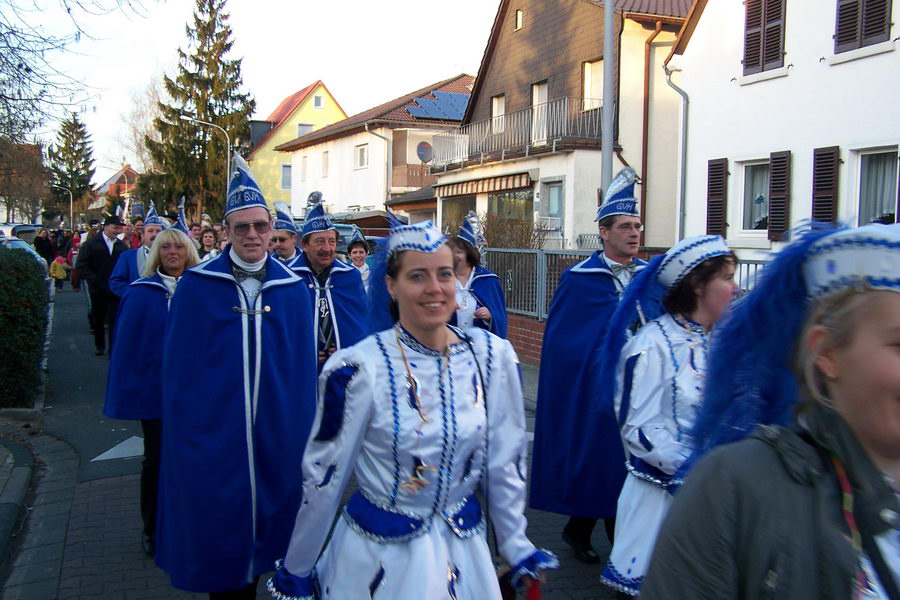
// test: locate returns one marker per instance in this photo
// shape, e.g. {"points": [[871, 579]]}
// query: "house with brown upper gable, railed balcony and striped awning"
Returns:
{"points": [[529, 146]]}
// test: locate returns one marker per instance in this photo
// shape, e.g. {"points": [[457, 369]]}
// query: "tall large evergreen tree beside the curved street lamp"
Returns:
{"points": [[206, 87]]}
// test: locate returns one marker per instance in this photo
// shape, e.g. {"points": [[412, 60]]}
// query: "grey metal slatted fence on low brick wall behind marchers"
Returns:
{"points": [[529, 277]]}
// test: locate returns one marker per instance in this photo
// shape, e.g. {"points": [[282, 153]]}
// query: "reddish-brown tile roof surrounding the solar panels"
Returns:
{"points": [[393, 110]]}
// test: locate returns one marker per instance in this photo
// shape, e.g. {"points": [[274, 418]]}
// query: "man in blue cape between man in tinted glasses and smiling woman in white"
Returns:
{"points": [[335, 288]]}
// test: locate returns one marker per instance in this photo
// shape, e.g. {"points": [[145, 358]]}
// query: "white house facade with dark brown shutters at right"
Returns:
{"points": [[792, 116]]}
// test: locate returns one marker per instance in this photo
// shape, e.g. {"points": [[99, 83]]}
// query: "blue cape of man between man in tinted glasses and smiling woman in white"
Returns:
{"points": [[346, 295]]}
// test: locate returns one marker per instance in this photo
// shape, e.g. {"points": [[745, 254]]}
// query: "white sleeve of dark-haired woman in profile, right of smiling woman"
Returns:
{"points": [[647, 433]]}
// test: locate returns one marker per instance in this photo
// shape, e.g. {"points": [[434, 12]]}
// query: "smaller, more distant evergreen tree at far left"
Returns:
{"points": [[71, 166]]}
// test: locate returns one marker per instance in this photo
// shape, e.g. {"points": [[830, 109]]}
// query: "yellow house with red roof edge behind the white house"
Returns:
{"points": [[310, 109]]}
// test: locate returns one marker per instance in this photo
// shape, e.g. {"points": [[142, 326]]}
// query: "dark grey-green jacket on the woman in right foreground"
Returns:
{"points": [[761, 518]]}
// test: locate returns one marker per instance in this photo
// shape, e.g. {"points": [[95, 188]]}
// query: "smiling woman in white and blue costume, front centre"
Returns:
{"points": [[422, 415]]}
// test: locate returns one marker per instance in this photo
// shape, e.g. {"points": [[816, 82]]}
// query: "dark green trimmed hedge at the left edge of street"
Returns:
{"points": [[23, 321]]}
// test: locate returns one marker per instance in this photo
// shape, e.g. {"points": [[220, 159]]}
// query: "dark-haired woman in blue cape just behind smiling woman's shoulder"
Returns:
{"points": [[479, 297]]}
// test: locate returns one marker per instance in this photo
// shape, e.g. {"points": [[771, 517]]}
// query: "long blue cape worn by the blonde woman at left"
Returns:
{"points": [[134, 384]]}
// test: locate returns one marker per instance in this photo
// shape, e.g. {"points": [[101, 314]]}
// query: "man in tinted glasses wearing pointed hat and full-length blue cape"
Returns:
{"points": [[234, 427]]}
